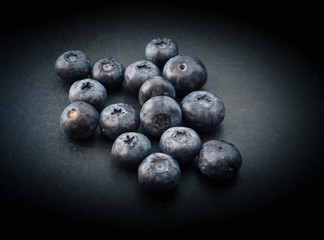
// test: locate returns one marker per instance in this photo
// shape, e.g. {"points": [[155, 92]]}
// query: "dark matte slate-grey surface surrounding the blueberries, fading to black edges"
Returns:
{"points": [[265, 62]]}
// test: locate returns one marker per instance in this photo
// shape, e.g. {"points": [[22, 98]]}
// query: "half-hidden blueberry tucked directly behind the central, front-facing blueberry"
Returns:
{"points": [[155, 86]]}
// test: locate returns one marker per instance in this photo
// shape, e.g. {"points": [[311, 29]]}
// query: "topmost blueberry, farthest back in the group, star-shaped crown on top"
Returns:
{"points": [[160, 50]]}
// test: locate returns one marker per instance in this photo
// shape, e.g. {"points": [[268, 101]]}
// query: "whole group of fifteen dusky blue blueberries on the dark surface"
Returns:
{"points": [[157, 80]]}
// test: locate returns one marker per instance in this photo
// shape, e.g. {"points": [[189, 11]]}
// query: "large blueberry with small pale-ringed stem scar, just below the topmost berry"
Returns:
{"points": [[186, 73]]}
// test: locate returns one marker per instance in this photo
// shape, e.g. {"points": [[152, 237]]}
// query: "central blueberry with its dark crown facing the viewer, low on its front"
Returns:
{"points": [[160, 113]]}
